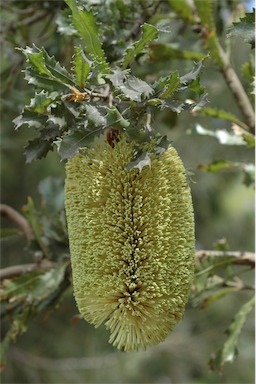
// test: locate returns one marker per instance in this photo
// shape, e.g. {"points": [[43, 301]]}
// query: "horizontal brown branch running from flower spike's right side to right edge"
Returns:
{"points": [[242, 258]]}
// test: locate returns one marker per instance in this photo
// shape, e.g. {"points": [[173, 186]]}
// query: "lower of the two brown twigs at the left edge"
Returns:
{"points": [[22, 269]]}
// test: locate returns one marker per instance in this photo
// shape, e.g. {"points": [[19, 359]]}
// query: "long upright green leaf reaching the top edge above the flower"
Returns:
{"points": [[85, 23]]}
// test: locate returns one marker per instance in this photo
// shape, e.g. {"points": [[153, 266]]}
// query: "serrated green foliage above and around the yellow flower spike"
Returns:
{"points": [[100, 85]]}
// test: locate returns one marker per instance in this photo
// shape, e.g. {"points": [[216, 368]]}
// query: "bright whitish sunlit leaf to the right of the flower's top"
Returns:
{"points": [[223, 136]]}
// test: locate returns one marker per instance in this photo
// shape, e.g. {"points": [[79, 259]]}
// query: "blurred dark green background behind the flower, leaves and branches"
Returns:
{"points": [[59, 347]]}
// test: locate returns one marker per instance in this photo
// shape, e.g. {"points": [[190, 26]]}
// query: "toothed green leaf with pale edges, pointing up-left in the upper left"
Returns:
{"points": [[46, 66]]}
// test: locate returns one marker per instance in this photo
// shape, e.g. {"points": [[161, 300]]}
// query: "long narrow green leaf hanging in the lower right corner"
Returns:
{"points": [[229, 351]]}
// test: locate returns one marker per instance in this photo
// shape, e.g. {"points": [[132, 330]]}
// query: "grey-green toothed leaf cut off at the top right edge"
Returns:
{"points": [[245, 29]]}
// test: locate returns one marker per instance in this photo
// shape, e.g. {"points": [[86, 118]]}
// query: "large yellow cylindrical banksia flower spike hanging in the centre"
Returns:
{"points": [[131, 241]]}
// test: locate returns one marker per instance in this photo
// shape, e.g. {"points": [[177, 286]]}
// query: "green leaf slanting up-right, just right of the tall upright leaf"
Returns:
{"points": [[149, 33]]}
